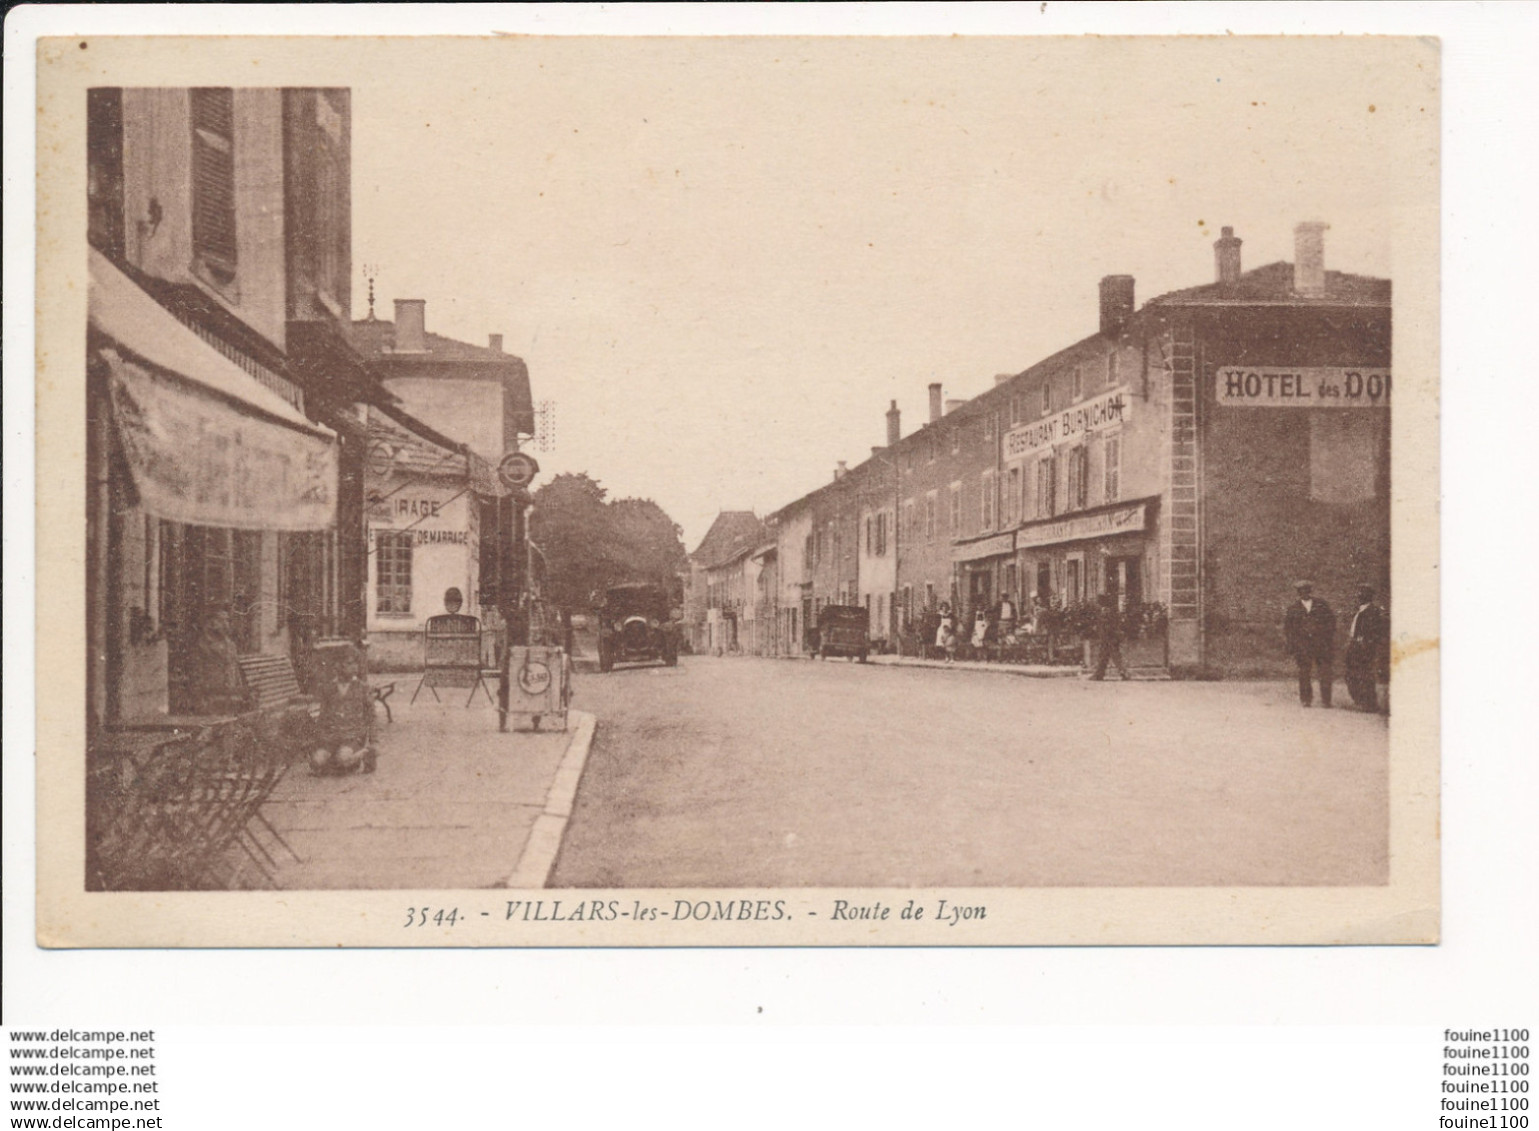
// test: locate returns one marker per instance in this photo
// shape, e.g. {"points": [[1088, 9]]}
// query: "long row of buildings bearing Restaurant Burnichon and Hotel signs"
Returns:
{"points": [[1195, 456]]}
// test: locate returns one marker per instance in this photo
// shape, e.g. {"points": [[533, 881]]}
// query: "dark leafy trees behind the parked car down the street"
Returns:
{"points": [[592, 544]]}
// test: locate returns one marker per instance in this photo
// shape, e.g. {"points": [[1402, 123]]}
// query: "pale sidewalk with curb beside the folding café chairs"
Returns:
{"points": [[455, 804]]}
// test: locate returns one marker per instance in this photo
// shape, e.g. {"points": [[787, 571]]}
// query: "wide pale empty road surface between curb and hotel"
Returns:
{"points": [[778, 773]]}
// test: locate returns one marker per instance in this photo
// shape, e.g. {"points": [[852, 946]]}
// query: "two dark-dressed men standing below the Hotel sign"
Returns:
{"points": [[1309, 629]]}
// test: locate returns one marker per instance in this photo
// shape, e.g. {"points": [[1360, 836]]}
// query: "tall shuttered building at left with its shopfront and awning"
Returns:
{"points": [[224, 402]]}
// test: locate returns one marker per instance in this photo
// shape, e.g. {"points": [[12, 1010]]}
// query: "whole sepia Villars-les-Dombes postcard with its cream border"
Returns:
{"points": [[738, 492]]}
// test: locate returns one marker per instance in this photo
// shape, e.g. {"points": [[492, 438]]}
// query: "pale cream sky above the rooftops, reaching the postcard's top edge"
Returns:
{"points": [[723, 259]]}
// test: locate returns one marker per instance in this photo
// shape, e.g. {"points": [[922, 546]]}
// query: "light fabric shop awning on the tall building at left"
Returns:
{"points": [[205, 442]]}
